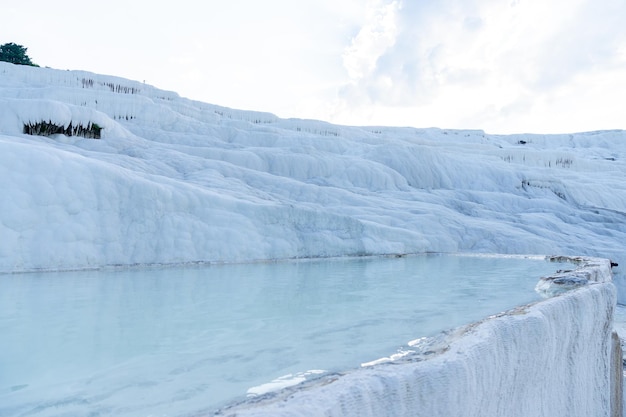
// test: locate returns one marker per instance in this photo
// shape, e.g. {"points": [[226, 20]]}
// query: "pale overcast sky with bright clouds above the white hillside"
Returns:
{"points": [[504, 66]]}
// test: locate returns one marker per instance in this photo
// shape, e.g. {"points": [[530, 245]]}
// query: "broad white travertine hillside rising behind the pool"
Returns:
{"points": [[176, 181]]}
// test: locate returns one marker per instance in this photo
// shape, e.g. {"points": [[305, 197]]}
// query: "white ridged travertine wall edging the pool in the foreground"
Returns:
{"points": [[552, 358]]}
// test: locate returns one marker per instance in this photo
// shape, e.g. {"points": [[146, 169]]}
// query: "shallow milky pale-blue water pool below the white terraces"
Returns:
{"points": [[185, 341]]}
